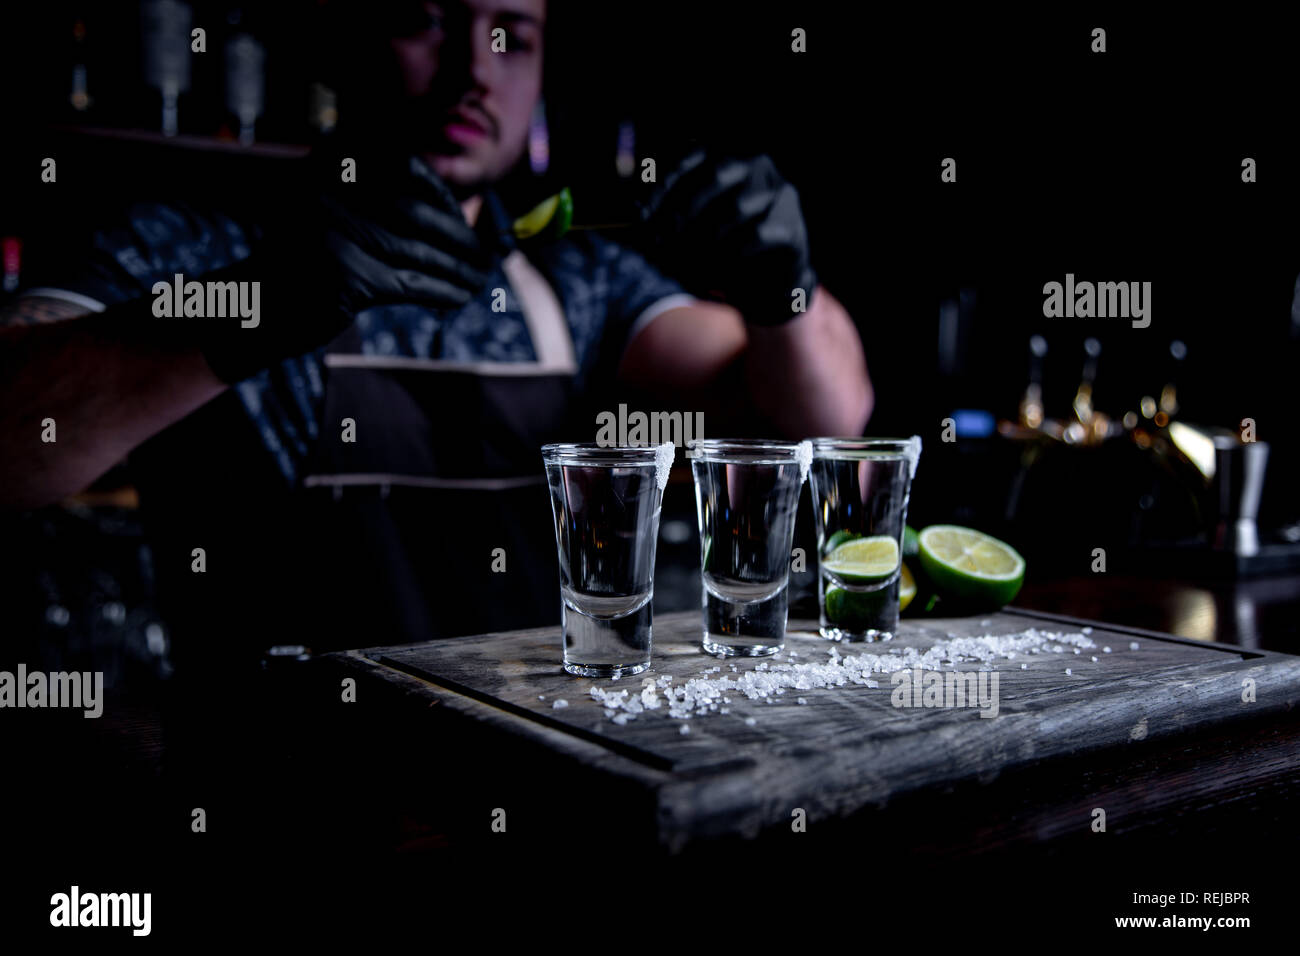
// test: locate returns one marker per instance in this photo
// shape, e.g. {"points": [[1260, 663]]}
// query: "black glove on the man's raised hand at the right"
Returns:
{"points": [[733, 228]]}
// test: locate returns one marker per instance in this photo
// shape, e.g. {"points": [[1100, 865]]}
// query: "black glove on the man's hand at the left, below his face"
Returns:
{"points": [[341, 250]]}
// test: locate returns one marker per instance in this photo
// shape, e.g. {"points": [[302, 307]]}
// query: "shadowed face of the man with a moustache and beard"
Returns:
{"points": [[471, 106]]}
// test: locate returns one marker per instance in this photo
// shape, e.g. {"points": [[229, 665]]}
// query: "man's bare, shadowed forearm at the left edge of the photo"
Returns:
{"points": [[103, 395]]}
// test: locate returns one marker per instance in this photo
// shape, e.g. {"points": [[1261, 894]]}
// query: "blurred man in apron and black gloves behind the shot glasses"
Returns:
{"points": [[341, 471]]}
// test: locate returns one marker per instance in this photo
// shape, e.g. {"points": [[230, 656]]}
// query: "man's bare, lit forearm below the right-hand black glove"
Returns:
{"points": [[809, 377]]}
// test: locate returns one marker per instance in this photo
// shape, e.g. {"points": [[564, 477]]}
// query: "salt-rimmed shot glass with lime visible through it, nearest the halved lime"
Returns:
{"points": [[860, 501]]}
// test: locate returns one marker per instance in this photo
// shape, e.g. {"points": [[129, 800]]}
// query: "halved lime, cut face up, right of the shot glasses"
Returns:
{"points": [[972, 565]]}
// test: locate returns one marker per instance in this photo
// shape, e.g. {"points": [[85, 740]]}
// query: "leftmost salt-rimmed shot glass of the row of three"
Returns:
{"points": [[606, 504]]}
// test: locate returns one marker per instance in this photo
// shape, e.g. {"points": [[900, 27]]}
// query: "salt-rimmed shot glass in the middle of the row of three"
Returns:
{"points": [[747, 498]]}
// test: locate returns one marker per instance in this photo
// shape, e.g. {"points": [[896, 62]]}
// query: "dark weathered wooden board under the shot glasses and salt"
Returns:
{"points": [[847, 747]]}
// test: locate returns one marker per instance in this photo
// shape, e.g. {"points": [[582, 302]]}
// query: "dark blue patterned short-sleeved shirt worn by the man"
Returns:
{"points": [[606, 291]]}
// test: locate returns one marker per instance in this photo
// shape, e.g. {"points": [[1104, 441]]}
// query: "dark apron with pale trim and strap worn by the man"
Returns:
{"points": [[443, 487]]}
